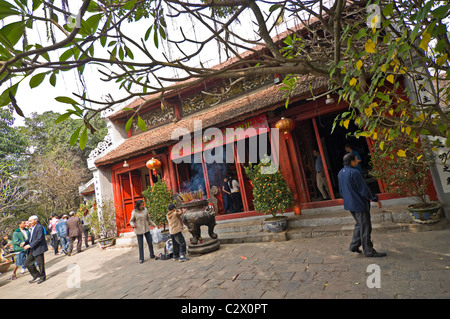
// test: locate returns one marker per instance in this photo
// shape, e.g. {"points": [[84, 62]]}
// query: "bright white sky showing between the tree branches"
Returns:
{"points": [[42, 98]]}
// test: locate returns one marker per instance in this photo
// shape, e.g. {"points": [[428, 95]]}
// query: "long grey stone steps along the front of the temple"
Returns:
{"points": [[312, 223]]}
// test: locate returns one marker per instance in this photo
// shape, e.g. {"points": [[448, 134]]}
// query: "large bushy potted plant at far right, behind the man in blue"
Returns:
{"points": [[405, 171]]}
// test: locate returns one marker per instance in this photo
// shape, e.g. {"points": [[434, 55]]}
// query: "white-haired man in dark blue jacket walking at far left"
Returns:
{"points": [[38, 246]]}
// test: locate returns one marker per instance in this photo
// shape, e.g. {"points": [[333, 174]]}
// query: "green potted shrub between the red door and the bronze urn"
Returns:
{"points": [[157, 198]]}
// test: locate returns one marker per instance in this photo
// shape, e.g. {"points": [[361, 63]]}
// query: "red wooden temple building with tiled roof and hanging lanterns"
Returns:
{"points": [[206, 132]]}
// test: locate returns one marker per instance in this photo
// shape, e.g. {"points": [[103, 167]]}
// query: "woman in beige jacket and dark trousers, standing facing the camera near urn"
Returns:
{"points": [[140, 221]]}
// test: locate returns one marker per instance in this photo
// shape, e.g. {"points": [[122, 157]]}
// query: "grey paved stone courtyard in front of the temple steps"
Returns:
{"points": [[417, 266]]}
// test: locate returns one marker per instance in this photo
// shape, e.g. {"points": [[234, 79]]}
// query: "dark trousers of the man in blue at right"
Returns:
{"points": [[362, 232]]}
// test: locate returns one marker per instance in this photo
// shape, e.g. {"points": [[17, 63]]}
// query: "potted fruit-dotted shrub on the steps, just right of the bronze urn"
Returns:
{"points": [[271, 195]]}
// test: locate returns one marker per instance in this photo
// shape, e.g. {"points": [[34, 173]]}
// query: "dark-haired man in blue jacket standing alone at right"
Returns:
{"points": [[357, 196]]}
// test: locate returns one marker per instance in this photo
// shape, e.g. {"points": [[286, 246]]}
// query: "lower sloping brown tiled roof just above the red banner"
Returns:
{"points": [[251, 104]]}
